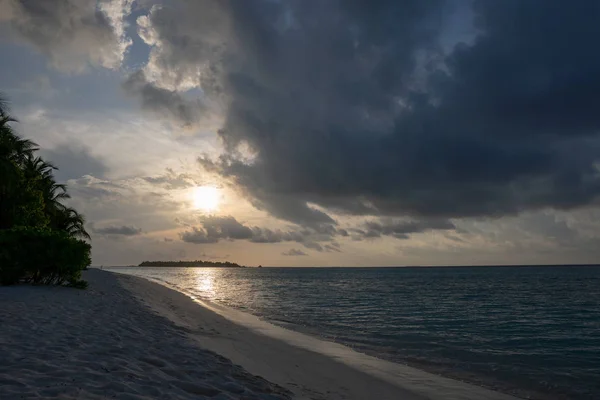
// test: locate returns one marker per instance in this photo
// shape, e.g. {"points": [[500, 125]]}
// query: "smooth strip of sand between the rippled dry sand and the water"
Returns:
{"points": [[310, 367]]}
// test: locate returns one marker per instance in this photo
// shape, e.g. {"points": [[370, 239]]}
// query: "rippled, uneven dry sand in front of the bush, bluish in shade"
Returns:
{"points": [[102, 343]]}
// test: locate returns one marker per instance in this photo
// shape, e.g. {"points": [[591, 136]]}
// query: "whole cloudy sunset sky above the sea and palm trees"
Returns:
{"points": [[317, 133]]}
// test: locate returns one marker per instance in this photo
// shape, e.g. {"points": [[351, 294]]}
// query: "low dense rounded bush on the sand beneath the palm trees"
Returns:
{"points": [[42, 256]]}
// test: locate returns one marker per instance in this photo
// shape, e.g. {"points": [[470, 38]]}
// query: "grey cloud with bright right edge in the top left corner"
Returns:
{"points": [[72, 33]]}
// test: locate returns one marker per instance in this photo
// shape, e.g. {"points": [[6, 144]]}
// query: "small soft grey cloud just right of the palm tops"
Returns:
{"points": [[74, 161]]}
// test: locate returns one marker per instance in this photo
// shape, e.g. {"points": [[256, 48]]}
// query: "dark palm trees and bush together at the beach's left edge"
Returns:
{"points": [[41, 239]]}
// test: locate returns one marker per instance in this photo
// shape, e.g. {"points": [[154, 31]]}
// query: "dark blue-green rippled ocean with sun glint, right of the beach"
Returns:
{"points": [[533, 332]]}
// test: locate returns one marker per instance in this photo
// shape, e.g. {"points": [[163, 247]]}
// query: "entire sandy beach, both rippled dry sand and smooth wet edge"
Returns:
{"points": [[129, 338]]}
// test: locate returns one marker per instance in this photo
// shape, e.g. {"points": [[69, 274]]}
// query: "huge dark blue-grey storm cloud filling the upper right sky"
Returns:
{"points": [[354, 107]]}
